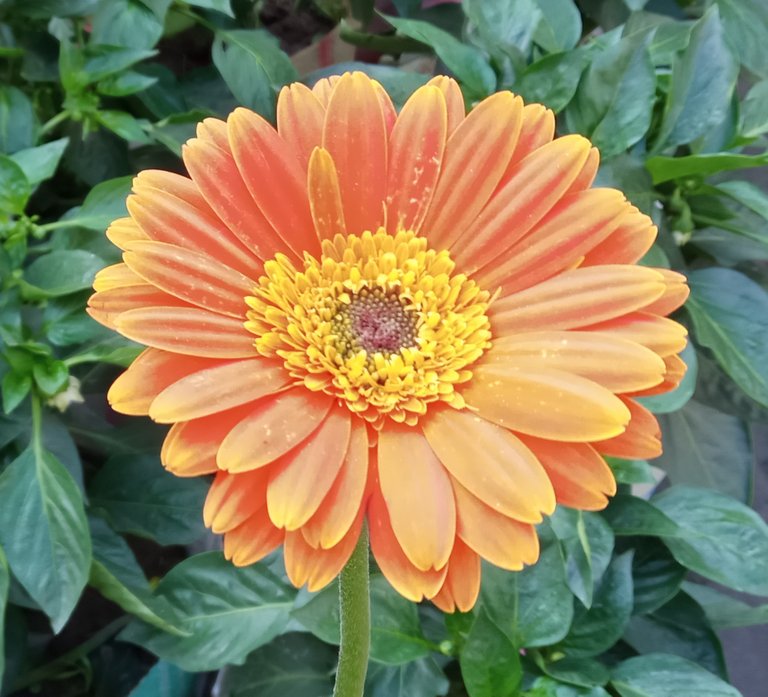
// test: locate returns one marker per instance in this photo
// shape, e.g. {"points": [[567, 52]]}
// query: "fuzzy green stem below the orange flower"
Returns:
{"points": [[355, 602]]}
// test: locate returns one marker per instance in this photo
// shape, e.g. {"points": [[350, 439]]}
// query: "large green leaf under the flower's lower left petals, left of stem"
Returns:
{"points": [[227, 611]]}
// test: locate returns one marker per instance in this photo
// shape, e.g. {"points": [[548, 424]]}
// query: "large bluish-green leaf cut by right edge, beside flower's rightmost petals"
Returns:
{"points": [[730, 317]]}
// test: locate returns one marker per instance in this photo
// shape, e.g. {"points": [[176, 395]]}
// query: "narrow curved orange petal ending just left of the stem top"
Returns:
{"points": [[340, 507]]}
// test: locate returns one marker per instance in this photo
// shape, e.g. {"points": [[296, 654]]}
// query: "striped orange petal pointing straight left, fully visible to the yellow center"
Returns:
{"points": [[187, 330]]}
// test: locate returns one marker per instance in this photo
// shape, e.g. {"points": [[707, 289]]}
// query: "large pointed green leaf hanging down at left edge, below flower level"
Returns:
{"points": [[44, 532]]}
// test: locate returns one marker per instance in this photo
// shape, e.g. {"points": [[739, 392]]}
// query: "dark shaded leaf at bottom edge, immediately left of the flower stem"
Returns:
{"points": [[293, 665]]}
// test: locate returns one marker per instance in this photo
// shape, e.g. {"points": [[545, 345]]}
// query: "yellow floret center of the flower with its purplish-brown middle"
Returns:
{"points": [[379, 321]]}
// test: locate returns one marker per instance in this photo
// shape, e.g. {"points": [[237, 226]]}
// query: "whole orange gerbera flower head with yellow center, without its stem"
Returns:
{"points": [[426, 319]]}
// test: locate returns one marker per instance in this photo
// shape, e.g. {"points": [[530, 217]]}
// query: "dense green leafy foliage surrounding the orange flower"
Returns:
{"points": [[103, 565]]}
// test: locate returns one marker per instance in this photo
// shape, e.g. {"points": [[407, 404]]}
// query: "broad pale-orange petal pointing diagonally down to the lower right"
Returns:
{"points": [[491, 463]]}
